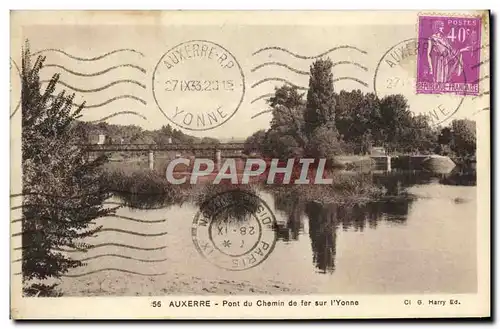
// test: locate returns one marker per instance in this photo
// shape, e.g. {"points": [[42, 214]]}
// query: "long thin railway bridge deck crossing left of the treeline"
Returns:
{"points": [[165, 147]]}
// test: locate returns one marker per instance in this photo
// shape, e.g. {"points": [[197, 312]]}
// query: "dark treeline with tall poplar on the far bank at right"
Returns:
{"points": [[324, 123]]}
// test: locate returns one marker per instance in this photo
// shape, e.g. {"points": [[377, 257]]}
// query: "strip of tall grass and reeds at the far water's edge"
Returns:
{"points": [[134, 183]]}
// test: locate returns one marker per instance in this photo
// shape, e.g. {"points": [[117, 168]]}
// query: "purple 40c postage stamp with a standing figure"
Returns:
{"points": [[449, 58]]}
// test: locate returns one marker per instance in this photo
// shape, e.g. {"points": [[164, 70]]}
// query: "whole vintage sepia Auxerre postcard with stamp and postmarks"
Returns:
{"points": [[250, 165]]}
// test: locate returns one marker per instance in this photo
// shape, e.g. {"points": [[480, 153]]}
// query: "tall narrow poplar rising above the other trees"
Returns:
{"points": [[320, 107]]}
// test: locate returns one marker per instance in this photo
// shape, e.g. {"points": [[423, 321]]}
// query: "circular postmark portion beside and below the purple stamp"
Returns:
{"points": [[396, 73]]}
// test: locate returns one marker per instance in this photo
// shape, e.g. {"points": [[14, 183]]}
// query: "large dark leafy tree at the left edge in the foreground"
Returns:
{"points": [[61, 187]]}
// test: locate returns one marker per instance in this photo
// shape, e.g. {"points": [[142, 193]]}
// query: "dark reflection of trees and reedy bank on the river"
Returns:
{"points": [[324, 220]]}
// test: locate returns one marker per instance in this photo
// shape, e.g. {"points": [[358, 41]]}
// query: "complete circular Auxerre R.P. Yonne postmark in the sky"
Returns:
{"points": [[198, 85]]}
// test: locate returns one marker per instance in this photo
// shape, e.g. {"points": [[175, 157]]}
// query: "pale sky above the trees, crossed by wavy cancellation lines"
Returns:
{"points": [[266, 49]]}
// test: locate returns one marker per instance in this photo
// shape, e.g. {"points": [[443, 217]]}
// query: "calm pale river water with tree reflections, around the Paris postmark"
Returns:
{"points": [[422, 243]]}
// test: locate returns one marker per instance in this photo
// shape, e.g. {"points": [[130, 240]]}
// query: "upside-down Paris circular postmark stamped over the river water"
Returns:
{"points": [[234, 230]]}
